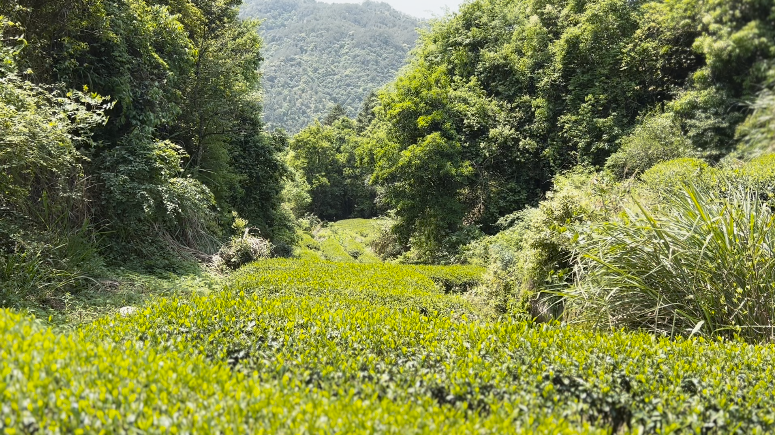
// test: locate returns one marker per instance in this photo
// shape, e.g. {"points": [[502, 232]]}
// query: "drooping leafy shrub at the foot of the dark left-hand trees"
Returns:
{"points": [[154, 215]]}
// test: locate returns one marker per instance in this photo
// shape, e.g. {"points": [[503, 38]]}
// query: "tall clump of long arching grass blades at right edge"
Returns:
{"points": [[702, 263]]}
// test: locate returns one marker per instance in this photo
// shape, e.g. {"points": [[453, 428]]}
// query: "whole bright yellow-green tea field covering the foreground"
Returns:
{"points": [[307, 346]]}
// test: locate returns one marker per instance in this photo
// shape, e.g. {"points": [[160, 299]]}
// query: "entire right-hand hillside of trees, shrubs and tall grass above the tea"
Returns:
{"points": [[596, 157]]}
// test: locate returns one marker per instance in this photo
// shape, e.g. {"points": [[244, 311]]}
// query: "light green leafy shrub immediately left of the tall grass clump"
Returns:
{"points": [[531, 260]]}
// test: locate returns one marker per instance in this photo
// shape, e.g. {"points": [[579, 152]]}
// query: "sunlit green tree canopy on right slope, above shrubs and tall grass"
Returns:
{"points": [[504, 95]]}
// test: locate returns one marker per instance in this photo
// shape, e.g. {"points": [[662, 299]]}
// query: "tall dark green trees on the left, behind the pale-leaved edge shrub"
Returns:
{"points": [[183, 76]]}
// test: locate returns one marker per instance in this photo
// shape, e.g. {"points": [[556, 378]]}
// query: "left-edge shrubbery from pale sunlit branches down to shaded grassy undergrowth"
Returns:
{"points": [[45, 235]]}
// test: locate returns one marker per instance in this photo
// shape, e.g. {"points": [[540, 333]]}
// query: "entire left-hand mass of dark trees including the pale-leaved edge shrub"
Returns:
{"points": [[180, 142]]}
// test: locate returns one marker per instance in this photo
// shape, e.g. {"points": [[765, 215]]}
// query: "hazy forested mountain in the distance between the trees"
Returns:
{"points": [[318, 55]]}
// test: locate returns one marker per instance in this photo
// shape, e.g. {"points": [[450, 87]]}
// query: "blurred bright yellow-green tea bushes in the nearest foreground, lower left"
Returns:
{"points": [[68, 384]]}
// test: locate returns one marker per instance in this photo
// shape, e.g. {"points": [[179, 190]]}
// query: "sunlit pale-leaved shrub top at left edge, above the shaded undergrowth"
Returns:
{"points": [[40, 167]]}
